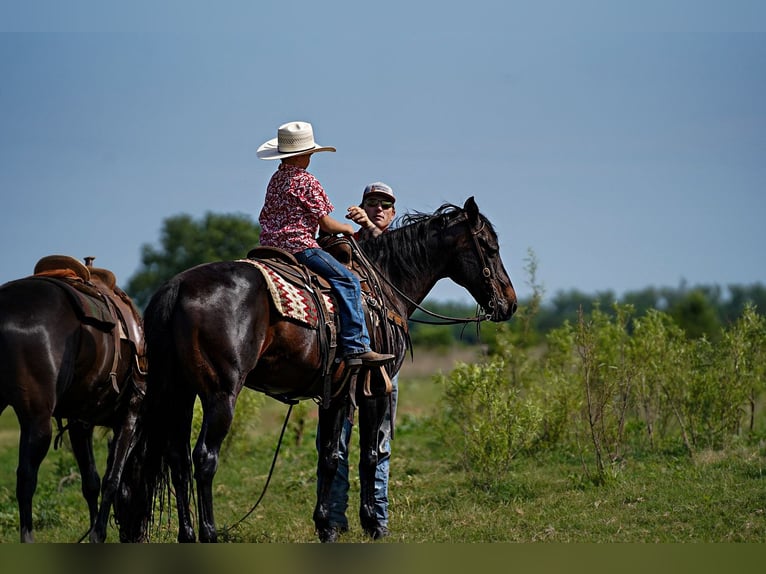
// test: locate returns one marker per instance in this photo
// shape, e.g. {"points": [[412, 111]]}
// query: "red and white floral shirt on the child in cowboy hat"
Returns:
{"points": [[295, 202]]}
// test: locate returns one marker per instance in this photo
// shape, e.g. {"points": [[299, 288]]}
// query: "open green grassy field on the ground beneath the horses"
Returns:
{"points": [[712, 497]]}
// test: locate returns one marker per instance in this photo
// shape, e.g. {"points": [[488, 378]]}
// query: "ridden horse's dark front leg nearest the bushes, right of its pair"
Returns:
{"points": [[371, 413]]}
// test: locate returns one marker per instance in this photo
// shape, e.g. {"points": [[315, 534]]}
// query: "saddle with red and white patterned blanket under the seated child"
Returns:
{"points": [[316, 299]]}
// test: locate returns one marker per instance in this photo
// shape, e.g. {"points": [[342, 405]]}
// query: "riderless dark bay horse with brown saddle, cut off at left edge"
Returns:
{"points": [[60, 359]]}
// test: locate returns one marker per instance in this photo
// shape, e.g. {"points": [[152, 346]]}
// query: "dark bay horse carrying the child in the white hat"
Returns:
{"points": [[212, 330]]}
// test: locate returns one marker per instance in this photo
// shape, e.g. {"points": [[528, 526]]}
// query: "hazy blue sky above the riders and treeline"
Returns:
{"points": [[624, 143]]}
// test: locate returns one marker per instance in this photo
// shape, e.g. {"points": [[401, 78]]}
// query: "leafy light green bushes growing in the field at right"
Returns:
{"points": [[610, 386]]}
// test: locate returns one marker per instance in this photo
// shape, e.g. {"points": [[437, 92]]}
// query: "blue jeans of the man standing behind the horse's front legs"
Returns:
{"points": [[340, 485]]}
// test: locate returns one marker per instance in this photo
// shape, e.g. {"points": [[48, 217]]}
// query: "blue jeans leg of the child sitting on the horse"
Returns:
{"points": [[353, 337]]}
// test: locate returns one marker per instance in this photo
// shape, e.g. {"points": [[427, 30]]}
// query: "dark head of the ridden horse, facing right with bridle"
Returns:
{"points": [[476, 264]]}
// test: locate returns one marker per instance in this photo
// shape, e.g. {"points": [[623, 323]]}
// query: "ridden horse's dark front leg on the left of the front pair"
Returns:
{"points": [[330, 426]]}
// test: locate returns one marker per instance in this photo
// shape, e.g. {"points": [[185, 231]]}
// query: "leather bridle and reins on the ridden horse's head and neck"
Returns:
{"points": [[446, 320]]}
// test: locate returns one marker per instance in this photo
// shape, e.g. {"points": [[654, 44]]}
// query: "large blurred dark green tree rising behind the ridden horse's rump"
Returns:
{"points": [[186, 242]]}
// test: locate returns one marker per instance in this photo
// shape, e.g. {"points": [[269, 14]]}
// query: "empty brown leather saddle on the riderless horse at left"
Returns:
{"points": [[99, 302]]}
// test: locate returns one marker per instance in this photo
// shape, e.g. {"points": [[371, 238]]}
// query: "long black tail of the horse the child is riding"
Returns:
{"points": [[146, 473]]}
